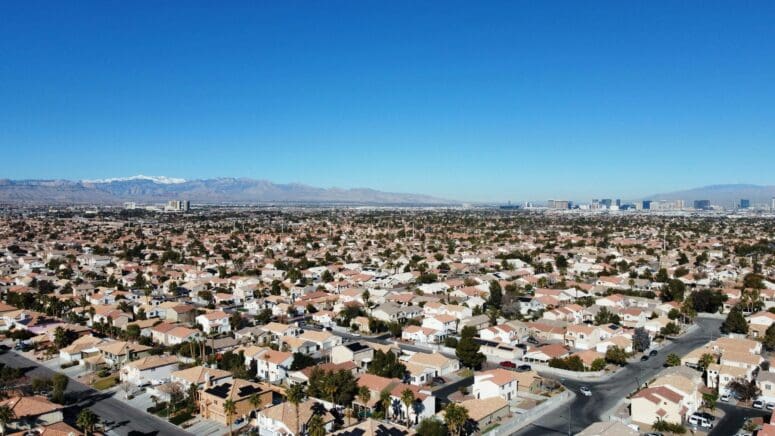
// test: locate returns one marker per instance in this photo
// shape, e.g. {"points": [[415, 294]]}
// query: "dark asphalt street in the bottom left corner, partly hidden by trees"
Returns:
{"points": [[117, 417]]}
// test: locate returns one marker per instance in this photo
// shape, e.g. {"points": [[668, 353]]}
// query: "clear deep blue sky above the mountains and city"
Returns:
{"points": [[463, 100]]}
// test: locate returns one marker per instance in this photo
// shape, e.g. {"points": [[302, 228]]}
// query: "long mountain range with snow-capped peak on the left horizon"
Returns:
{"points": [[151, 189]]}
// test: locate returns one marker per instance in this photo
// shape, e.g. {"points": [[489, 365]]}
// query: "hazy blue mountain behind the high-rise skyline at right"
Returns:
{"points": [[723, 195]]}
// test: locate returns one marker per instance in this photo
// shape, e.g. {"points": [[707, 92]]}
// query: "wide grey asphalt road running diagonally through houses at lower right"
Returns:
{"points": [[584, 411]]}
